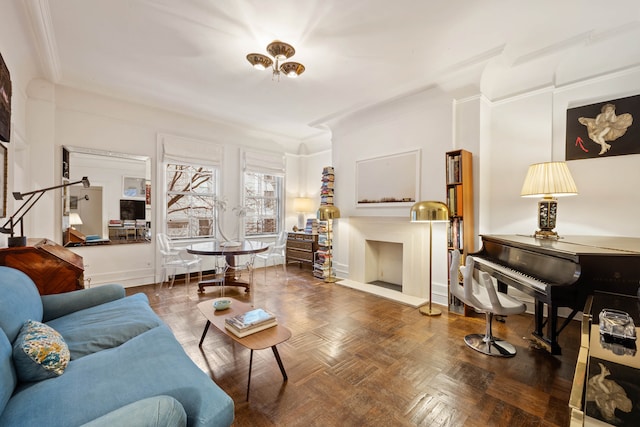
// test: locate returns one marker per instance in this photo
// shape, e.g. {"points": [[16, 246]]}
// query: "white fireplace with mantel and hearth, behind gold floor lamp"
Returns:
{"points": [[400, 251]]}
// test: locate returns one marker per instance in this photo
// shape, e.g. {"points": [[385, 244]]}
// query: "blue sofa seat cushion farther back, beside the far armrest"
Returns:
{"points": [[106, 325]]}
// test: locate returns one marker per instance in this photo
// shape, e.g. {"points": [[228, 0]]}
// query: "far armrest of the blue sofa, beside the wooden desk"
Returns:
{"points": [[58, 305]]}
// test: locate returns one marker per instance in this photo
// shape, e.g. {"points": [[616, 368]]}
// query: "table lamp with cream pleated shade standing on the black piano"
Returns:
{"points": [[548, 180]]}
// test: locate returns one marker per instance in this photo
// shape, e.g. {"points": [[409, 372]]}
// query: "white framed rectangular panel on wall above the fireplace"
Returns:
{"points": [[392, 180]]}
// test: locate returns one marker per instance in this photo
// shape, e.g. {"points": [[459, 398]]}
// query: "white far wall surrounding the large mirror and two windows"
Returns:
{"points": [[82, 119]]}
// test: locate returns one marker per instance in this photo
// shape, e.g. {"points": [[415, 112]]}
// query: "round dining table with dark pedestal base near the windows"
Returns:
{"points": [[230, 250]]}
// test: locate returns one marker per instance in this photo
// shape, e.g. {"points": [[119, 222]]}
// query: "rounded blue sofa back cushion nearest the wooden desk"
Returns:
{"points": [[19, 301]]}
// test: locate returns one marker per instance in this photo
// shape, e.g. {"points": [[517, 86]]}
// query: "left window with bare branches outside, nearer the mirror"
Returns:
{"points": [[191, 192]]}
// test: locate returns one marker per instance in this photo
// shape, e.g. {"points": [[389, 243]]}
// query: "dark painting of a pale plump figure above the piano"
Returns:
{"points": [[604, 129]]}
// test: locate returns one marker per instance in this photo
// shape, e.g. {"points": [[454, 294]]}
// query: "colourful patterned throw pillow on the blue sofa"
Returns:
{"points": [[39, 352]]}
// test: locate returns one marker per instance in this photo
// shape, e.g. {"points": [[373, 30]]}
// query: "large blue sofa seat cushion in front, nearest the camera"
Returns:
{"points": [[150, 364]]}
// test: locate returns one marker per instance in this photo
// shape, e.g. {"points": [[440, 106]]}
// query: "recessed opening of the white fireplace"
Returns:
{"points": [[383, 264]]}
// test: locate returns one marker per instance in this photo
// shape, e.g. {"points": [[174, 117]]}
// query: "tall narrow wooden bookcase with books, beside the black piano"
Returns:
{"points": [[459, 179]]}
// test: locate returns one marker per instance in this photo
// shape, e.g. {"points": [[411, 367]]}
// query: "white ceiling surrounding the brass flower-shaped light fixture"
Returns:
{"points": [[189, 55]]}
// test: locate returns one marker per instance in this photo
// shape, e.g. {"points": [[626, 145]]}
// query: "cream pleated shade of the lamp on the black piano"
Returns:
{"points": [[551, 179]]}
